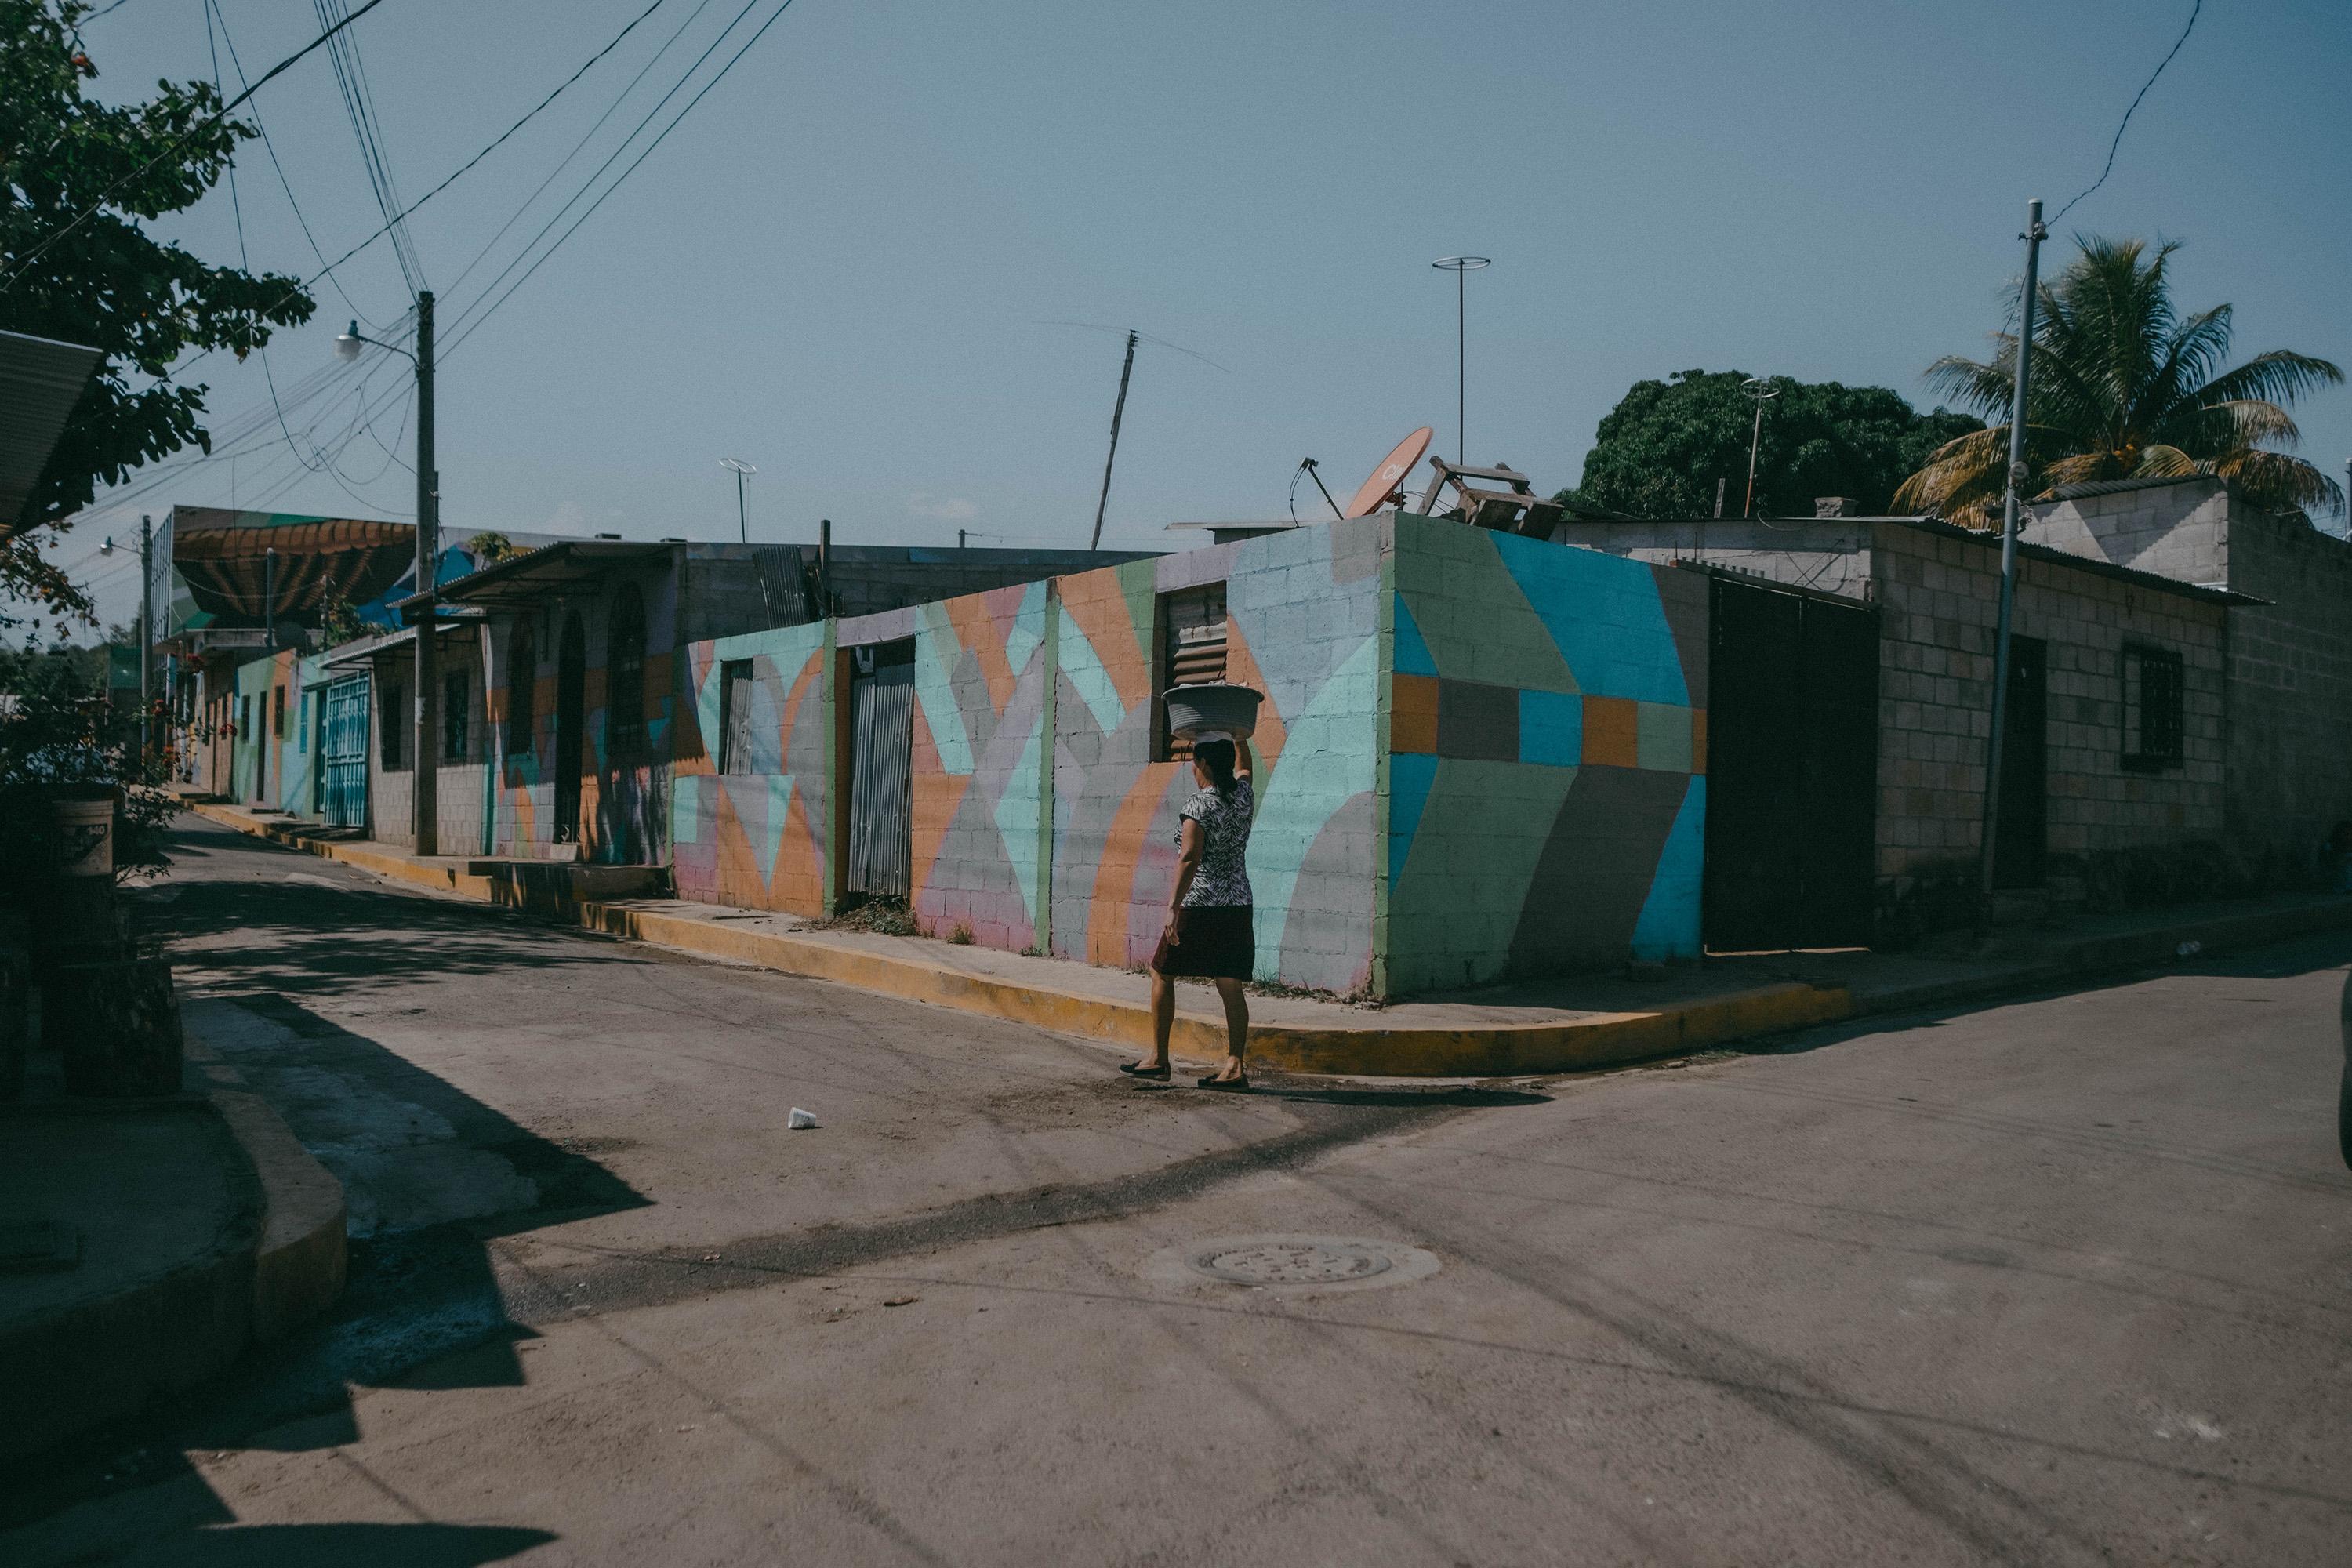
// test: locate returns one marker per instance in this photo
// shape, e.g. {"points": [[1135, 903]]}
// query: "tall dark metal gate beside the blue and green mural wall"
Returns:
{"points": [[1793, 758]]}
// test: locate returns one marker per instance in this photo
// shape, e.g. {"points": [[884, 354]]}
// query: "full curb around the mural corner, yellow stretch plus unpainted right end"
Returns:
{"points": [[1499, 1050]]}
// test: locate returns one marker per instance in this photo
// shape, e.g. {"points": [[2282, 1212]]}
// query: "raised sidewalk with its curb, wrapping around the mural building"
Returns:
{"points": [[1556, 1026]]}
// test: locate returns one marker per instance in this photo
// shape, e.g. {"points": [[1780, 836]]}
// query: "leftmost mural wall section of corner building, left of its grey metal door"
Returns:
{"points": [[761, 833]]}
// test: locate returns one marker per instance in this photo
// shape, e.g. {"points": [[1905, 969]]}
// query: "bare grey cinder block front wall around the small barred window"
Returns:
{"points": [[1939, 603]]}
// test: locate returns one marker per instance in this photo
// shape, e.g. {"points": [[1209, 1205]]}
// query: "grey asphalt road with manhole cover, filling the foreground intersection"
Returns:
{"points": [[2052, 1282]]}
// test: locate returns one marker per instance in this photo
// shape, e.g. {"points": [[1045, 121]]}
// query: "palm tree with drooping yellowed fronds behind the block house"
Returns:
{"points": [[2125, 389]]}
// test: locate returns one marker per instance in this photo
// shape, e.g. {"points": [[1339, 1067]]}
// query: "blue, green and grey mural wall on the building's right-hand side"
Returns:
{"points": [[1546, 758]]}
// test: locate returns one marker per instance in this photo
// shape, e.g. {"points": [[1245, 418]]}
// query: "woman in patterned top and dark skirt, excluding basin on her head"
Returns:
{"points": [[1210, 932]]}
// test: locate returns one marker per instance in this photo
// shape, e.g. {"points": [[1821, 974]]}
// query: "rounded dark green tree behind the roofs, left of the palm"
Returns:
{"points": [[1662, 450]]}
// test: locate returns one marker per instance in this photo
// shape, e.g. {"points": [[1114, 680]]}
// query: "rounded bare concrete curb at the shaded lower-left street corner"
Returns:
{"points": [[274, 1266]]}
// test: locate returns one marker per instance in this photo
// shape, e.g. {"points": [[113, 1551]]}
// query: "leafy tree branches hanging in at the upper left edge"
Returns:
{"points": [[105, 281]]}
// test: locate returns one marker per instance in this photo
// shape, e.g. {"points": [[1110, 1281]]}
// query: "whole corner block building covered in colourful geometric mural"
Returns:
{"points": [[1455, 721]]}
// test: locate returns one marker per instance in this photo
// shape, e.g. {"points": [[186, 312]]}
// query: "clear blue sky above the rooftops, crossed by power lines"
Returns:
{"points": [[838, 267]]}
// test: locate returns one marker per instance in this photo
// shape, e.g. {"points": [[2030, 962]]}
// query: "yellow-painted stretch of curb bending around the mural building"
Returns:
{"points": [[1375, 1052]]}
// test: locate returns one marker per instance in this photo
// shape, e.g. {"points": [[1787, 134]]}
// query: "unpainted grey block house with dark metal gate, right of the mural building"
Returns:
{"points": [[1855, 692]]}
